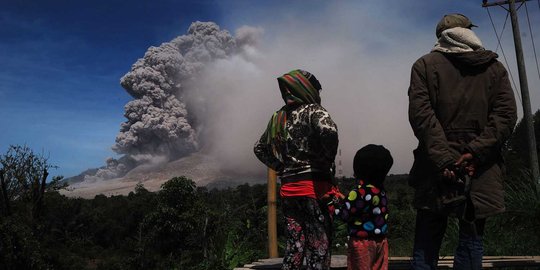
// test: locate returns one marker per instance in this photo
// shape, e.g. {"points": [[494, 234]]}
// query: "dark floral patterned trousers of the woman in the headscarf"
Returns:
{"points": [[309, 233]]}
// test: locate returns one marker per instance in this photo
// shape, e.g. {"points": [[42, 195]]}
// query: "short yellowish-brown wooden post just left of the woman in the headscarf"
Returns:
{"points": [[272, 216]]}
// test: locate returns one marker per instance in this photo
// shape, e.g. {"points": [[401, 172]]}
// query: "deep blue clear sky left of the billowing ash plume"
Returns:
{"points": [[61, 66]]}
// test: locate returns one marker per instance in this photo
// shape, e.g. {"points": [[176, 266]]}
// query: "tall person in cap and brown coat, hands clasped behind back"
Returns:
{"points": [[462, 110]]}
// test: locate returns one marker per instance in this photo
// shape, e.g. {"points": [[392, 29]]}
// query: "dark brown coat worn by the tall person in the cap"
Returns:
{"points": [[460, 103]]}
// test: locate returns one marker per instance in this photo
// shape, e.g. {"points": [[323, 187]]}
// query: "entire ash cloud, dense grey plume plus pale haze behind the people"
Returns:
{"points": [[212, 93]]}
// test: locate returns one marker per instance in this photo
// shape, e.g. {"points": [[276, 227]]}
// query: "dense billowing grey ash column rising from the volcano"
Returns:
{"points": [[158, 121]]}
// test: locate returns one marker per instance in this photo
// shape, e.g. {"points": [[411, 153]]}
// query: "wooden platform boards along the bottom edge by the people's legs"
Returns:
{"points": [[489, 262]]}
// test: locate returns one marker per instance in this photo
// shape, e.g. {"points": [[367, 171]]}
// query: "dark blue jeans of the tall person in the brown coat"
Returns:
{"points": [[429, 232]]}
